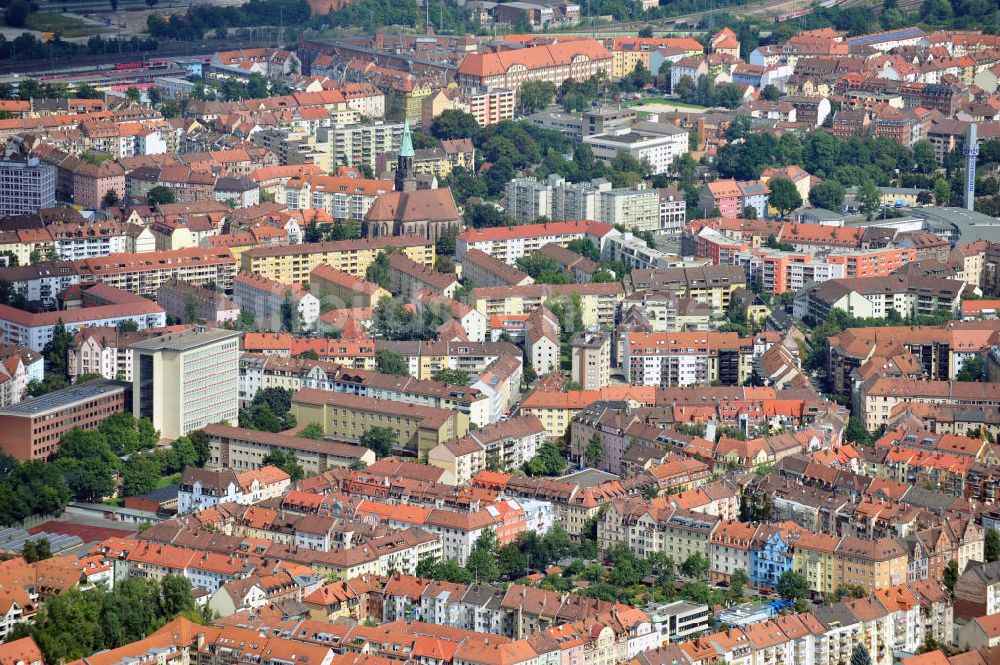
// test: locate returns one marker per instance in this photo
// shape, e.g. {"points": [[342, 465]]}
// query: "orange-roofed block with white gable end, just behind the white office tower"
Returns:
{"points": [[274, 305]]}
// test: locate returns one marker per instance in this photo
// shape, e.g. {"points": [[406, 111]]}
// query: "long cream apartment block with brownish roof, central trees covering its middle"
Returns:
{"points": [[599, 302]]}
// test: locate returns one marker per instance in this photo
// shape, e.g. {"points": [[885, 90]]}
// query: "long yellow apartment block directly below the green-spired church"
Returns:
{"points": [[293, 264]]}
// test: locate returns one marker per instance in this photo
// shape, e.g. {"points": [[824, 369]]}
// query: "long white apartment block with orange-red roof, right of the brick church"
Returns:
{"points": [[508, 244]]}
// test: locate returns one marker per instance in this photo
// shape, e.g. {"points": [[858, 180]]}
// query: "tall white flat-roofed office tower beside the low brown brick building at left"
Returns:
{"points": [[186, 380]]}
